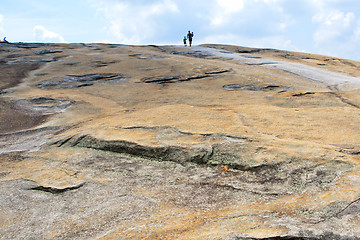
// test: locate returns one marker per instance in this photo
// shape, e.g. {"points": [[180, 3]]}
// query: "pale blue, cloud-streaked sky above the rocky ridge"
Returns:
{"points": [[328, 27]]}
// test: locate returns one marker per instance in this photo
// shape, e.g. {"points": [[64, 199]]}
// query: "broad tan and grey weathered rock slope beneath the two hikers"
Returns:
{"points": [[147, 142]]}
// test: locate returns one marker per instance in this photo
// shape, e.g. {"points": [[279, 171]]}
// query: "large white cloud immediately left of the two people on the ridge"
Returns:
{"points": [[134, 23]]}
